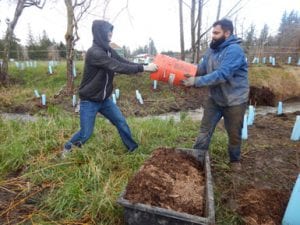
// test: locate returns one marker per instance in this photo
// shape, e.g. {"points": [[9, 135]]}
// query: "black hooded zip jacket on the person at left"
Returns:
{"points": [[101, 63]]}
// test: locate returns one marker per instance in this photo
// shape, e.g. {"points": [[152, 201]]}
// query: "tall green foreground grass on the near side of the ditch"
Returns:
{"points": [[88, 182]]}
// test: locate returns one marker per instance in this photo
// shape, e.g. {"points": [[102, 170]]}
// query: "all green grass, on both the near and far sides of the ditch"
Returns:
{"points": [[83, 188]]}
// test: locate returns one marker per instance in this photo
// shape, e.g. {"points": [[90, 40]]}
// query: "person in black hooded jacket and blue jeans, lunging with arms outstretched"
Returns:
{"points": [[96, 87]]}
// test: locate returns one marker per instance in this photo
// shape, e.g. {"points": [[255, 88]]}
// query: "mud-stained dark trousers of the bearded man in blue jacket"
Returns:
{"points": [[233, 120]]}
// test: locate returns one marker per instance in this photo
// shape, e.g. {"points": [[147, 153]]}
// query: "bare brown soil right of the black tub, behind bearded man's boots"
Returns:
{"points": [[270, 161]]}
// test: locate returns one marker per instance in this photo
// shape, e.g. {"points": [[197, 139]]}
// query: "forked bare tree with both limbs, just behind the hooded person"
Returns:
{"points": [[75, 10]]}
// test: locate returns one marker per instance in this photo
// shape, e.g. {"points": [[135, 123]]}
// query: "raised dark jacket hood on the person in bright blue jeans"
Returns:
{"points": [[100, 29]]}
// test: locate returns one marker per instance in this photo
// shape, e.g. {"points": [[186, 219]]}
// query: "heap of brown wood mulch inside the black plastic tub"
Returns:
{"points": [[171, 180]]}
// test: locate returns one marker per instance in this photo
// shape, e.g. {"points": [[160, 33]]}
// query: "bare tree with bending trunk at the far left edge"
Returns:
{"points": [[11, 24]]}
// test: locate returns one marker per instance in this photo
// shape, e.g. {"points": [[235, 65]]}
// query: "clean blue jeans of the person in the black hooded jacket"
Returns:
{"points": [[88, 112]]}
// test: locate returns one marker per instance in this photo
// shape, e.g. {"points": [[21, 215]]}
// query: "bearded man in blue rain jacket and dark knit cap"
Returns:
{"points": [[224, 70]]}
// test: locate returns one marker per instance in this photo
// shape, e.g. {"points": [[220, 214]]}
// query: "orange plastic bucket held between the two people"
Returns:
{"points": [[172, 70]]}
